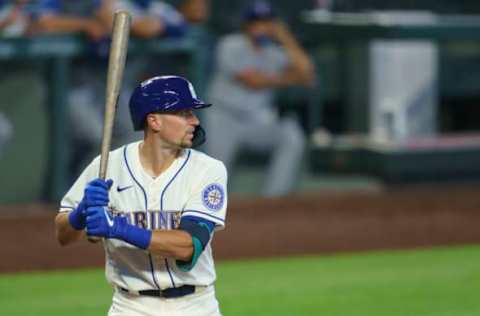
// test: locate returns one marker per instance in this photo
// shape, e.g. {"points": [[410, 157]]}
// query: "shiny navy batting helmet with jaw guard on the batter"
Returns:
{"points": [[164, 94]]}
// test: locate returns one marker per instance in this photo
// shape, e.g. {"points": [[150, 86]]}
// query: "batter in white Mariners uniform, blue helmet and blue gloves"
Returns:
{"points": [[158, 210]]}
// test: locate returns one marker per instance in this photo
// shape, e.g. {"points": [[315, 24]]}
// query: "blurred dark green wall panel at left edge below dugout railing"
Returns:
{"points": [[23, 162]]}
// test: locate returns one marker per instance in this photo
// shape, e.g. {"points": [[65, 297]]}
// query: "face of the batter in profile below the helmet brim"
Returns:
{"points": [[177, 128]]}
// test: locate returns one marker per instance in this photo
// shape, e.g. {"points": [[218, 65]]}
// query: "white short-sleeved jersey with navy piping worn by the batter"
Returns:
{"points": [[194, 185]]}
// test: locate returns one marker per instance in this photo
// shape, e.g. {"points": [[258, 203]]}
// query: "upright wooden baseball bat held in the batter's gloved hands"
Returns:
{"points": [[116, 65]]}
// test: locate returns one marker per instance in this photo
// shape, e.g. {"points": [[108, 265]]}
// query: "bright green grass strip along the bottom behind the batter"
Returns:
{"points": [[440, 282]]}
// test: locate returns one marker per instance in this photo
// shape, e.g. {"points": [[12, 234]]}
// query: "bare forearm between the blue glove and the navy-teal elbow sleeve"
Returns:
{"points": [[175, 244]]}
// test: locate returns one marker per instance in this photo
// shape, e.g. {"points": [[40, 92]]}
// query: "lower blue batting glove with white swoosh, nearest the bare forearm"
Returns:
{"points": [[101, 223]]}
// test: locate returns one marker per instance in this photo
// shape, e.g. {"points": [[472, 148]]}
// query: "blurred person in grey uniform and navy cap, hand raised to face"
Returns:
{"points": [[250, 65]]}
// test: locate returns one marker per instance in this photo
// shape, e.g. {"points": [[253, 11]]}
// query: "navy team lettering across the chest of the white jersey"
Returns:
{"points": [[153, 219]]}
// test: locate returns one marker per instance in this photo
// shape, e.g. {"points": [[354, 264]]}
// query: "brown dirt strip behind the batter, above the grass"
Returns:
{"points": [[320, 223]]}
